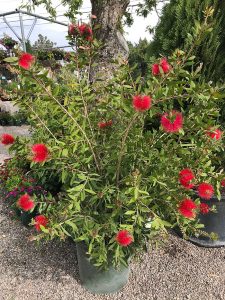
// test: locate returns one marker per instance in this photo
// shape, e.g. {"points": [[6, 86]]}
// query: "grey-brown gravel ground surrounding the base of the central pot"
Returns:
{"points": [[178, 270]]}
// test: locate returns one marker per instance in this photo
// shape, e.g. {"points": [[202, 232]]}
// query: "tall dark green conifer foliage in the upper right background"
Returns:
{"points": [[177, 20]]}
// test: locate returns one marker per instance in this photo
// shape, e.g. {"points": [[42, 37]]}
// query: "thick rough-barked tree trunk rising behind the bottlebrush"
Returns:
{"points": [[109, 14]]}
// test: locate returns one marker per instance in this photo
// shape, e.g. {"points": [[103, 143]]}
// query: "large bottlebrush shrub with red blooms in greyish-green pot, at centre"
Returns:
{"points": [[122, 181]]}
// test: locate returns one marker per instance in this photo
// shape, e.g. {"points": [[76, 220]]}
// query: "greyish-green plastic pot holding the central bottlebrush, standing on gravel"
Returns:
{"points": [[99, 281]]}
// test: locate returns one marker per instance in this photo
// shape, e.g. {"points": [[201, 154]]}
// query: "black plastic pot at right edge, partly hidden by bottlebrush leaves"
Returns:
{"points": [[214, 222]]}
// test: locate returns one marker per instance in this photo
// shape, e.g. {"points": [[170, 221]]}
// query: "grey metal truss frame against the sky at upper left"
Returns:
{"points": [[23, 39]]}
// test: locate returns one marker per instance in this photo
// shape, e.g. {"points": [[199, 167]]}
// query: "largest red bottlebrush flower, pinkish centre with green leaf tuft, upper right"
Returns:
{"points": [[172, 122]]}
